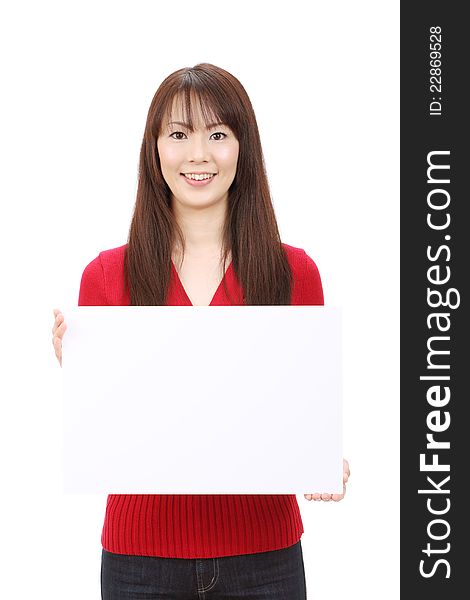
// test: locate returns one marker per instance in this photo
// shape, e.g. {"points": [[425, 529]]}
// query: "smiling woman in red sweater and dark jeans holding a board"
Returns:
{"points": [[203, 203]]}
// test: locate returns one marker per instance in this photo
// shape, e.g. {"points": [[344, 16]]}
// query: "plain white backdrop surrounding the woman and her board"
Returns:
{"points": [[77, 80]]}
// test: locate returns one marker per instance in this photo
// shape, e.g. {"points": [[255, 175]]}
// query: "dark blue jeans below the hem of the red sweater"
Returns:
{"points": [[273, 575]]}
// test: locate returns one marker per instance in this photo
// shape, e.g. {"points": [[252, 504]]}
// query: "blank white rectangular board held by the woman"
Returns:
{"points": [[202, 400]]}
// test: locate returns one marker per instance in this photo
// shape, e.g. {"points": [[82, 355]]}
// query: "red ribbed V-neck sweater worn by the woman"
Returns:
{"points": [[196, 526]]}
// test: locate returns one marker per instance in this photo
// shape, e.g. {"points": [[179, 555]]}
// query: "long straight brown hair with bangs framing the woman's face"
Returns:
{"points": [[250, 231]]}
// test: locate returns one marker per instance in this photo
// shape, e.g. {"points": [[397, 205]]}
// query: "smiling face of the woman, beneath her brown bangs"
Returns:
{"points": [[212, 152]]}
